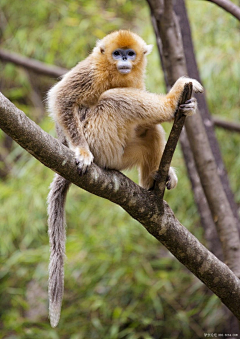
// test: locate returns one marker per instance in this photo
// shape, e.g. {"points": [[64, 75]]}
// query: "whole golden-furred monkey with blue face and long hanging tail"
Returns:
{"points": [[103, 113]]}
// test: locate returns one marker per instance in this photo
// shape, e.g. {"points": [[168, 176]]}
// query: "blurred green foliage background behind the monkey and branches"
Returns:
{"points": [[120, 282]]}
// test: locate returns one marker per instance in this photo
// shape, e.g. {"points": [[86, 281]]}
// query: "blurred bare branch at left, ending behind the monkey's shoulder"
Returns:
{"points": [[32, 65]]}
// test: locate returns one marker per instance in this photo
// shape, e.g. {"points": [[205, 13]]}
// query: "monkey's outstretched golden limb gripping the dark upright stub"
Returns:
{"points": [[131, 105]]}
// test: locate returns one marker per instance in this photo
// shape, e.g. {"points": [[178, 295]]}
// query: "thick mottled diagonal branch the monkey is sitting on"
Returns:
{"points": [[142, 205]]}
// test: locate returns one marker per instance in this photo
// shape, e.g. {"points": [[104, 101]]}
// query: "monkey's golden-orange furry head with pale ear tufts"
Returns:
{"points": [[123, 53]]}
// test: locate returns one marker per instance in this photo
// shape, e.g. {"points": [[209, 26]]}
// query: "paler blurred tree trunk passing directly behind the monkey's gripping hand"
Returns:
{"points": [[175, 66]]}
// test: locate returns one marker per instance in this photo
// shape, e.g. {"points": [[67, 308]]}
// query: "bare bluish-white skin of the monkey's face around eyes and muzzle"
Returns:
{"points": [[124, 58]]}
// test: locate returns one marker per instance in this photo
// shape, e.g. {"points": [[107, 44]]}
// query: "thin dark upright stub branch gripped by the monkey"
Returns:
{"points": [[171, 144]]}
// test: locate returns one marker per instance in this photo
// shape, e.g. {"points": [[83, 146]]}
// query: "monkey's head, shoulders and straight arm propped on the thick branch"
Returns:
{"points": [[118, 60]]}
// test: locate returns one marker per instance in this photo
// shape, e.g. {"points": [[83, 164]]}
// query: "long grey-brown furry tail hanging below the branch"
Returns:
{"points": [[57, 236]]}
